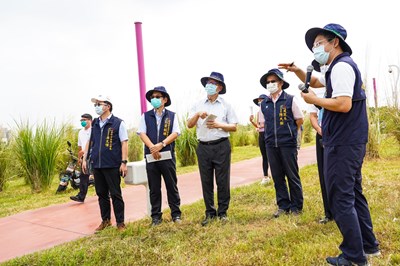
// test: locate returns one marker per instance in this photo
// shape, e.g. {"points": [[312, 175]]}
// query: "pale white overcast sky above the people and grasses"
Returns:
{"points": [[56, 55]]}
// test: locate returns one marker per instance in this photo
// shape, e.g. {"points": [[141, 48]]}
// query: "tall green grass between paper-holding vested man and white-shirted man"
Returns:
{"points": [[185, 144]]}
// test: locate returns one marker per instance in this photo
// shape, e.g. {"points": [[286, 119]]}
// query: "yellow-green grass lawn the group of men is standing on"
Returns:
{"points": [[251, 237]]}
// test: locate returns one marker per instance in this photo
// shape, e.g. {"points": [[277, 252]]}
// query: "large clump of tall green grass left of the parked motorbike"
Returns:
{"points": [[37, 151]]}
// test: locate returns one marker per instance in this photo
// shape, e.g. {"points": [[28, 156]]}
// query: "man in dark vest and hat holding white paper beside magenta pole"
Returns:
{"points": [[158, 130]]}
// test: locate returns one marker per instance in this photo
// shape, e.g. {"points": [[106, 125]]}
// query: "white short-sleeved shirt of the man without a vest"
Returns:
{"points": [[224, 112]]}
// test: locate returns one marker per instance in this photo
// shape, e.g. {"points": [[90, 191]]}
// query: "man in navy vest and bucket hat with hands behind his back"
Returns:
{"points": [[283, 119]]}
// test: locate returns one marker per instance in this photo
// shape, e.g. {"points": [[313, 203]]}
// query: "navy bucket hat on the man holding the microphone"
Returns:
{"points": [[336, 29]]}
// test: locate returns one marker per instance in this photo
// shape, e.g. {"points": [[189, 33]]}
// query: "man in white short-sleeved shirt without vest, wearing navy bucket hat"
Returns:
{"points": [[214, 149]]}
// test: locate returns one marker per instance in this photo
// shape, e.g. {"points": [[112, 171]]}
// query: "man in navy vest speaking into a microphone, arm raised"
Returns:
{"points": [[344, 136]]}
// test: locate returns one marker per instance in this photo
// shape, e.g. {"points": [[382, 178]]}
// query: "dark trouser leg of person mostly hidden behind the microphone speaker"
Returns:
{"points": [[320, 163]]}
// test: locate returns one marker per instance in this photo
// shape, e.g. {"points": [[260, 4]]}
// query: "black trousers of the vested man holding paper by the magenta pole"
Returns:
{"points": [[167, 169]]}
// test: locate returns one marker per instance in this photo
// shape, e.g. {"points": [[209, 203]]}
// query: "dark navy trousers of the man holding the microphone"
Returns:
{"points": [[342, 171]]}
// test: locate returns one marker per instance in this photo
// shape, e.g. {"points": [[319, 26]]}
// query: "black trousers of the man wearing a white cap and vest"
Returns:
{"points": [[108, 183]]}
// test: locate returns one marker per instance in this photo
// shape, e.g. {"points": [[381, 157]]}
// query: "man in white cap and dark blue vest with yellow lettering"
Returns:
{"points": [[108, 154]]}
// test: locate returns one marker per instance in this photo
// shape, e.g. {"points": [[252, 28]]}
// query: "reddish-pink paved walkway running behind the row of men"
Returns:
{"points": [[40, 229]]}
